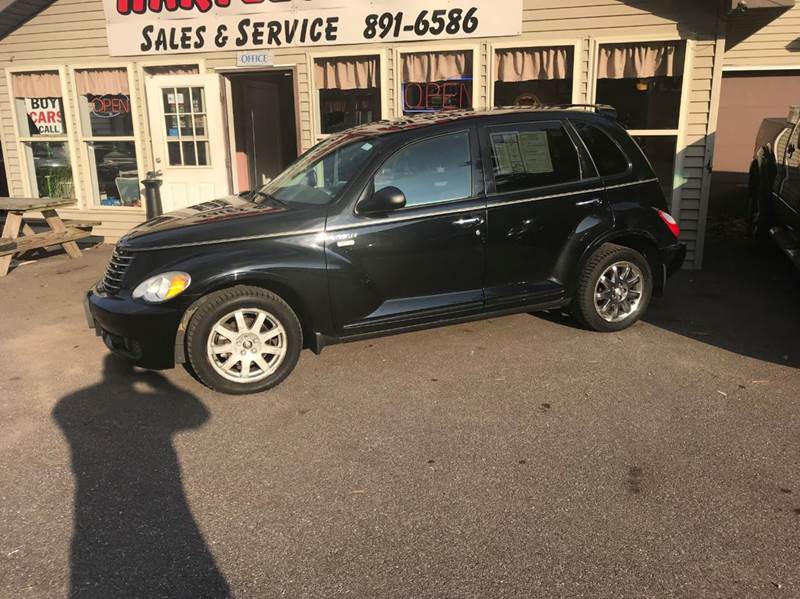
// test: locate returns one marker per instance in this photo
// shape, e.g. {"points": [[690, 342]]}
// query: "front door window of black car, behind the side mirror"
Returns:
{"points": [[431, 171]]}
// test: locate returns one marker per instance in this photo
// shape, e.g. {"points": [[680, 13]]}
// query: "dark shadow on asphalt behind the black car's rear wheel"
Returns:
{"points": [[742, 302]]}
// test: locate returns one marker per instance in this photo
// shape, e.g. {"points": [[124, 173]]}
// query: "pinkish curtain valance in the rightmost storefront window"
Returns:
{"points": [[640, 61]]}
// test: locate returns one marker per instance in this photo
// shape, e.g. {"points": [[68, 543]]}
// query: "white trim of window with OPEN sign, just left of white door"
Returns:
{"points": [[88, 201]]}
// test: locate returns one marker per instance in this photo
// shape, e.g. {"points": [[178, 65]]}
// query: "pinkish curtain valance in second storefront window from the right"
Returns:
{"points": [[530, 64]]}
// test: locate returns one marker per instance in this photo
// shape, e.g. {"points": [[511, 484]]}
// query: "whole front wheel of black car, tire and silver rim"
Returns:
{"points": [[243, 340]]}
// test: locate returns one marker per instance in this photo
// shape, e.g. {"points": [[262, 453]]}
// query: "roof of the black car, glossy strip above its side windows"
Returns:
{"points": [[433, 119]]}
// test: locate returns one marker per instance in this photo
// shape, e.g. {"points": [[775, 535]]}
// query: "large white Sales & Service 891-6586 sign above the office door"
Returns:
{"points": [[158, 27]]}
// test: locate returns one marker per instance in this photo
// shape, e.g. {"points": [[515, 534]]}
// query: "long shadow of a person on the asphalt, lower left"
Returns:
{"points": [[134, 533]]}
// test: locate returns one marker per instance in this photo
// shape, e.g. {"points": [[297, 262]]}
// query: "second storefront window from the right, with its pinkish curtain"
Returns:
{"points": [[533, 76]]}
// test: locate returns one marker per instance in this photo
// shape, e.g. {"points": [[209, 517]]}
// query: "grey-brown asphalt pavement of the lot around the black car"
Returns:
{"points": [[513, 457]]}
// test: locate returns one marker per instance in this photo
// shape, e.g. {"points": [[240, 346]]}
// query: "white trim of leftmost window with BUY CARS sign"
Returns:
{"points": [[23, 140]]}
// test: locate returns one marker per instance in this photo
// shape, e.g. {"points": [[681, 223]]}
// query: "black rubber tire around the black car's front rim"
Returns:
{"points": [[226, 302]]}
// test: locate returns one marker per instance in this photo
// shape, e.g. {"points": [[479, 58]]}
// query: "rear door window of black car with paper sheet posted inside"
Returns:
{"points": [[530, 155]]}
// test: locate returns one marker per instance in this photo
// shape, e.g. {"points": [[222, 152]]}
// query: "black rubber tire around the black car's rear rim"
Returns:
{"points": [[584, 308]]}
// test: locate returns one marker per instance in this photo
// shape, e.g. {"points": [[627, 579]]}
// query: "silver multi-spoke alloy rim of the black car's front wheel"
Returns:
{"points": [[246, 346]]}
